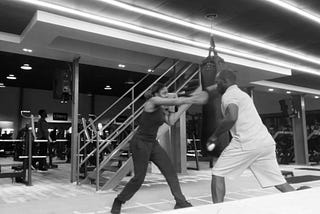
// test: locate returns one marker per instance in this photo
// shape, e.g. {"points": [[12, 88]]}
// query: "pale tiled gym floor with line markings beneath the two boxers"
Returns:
{"points": [[52, 192]]}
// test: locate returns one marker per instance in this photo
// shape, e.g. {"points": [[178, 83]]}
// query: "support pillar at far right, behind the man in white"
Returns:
{"points": [[300, 131]]}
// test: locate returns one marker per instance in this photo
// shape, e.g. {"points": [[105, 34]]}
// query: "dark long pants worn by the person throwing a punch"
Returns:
{"points": [[143, 151]]}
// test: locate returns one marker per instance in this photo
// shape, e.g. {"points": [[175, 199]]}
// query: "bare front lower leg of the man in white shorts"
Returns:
{"points": [[218, 189]]}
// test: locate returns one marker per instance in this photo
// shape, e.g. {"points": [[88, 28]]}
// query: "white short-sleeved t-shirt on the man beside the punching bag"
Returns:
{"points": [[248, 131]]}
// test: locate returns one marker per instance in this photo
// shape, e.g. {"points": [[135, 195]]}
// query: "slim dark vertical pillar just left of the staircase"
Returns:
{"points": [[75, 110]]}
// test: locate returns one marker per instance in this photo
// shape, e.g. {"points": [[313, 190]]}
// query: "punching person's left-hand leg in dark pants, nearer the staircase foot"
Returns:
{"points": [[140, 155]]}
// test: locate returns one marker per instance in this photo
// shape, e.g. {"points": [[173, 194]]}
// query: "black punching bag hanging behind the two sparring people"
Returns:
{"points": [[211, 112]]}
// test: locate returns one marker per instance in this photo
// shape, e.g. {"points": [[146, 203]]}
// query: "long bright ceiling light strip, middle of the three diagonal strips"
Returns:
{"points": [[220, 32]]}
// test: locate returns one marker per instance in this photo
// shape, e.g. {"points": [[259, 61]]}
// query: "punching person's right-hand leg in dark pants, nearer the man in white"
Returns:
{"points": [[161, 159]]}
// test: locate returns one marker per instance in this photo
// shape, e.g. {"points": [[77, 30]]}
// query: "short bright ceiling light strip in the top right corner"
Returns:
{"points": [[288, 6]]}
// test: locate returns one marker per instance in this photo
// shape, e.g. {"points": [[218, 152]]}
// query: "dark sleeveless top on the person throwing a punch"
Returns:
{"points": [[150, 122]]}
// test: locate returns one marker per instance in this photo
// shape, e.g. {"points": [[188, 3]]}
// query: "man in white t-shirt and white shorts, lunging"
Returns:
{"points": [[251, 146]]}
